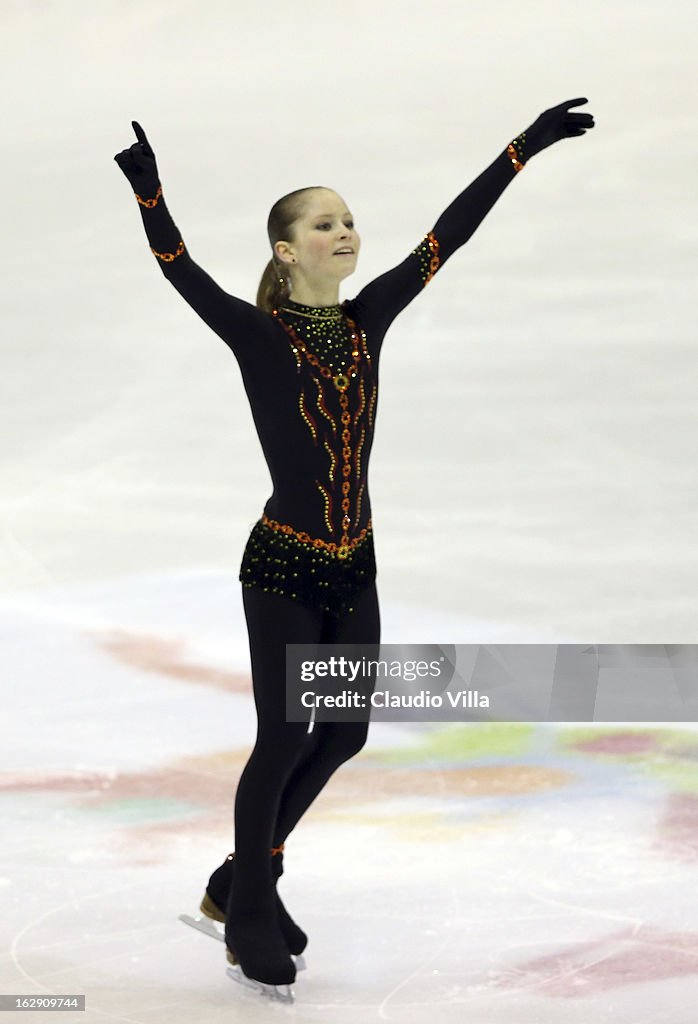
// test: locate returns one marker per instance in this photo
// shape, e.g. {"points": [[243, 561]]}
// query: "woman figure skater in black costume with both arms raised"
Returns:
{"points": [[310, 366]]}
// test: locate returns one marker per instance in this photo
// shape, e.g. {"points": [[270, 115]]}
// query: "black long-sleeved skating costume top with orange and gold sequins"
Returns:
{"points": [[312, 375]]}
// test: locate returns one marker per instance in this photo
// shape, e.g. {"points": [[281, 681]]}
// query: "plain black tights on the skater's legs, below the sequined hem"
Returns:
{"points": [[290, 766]]}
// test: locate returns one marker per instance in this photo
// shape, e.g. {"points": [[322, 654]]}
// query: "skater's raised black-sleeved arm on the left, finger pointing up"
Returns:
{"points": [[234, 320]]}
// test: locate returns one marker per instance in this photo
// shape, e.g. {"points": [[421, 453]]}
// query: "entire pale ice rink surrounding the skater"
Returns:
{"points": [[534, 480]]}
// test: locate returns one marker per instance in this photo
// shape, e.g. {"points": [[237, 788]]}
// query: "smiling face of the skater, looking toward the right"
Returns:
{"points": [[325, 227]]}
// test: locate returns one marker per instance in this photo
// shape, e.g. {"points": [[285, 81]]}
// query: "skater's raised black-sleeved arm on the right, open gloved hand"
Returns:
{"points": [[386, 296]]}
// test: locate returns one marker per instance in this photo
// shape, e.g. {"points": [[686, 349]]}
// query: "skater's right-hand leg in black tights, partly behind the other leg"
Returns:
{"points": [[331, 744]]}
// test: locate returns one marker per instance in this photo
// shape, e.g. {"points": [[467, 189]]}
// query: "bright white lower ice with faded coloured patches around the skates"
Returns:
{"points": [[490, 871]]}
